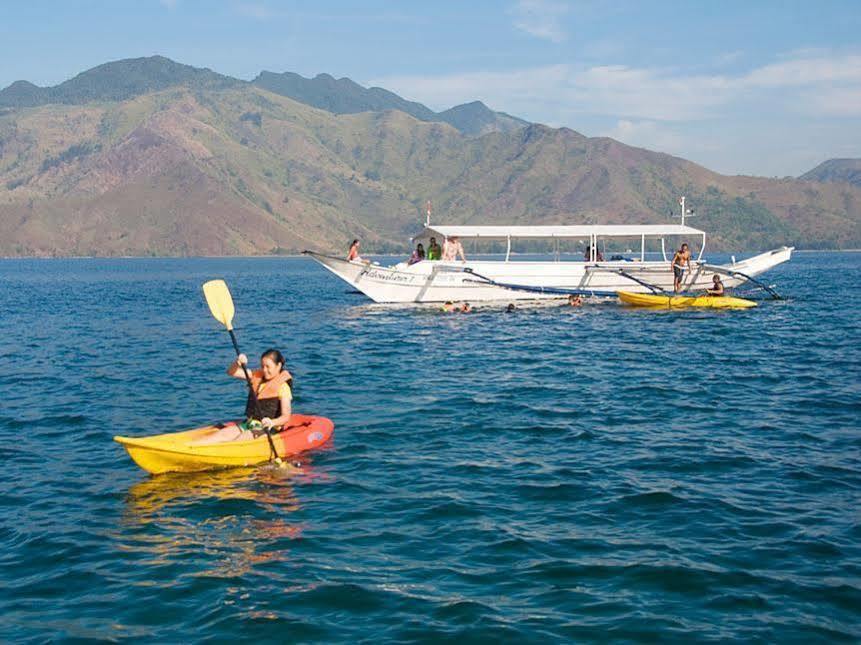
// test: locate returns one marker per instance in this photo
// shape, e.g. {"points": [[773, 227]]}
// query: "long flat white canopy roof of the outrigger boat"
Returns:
{"points": [[551, 232]]}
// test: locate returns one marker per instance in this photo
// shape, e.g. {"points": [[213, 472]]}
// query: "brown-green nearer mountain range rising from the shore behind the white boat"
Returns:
{"points": [[212, 167]]}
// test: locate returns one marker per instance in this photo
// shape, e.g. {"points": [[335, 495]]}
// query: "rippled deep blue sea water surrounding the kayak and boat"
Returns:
{"points": [[554, 474]]}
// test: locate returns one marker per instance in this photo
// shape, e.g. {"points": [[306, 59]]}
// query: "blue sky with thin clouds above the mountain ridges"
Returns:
{"points": [[765, 88]]}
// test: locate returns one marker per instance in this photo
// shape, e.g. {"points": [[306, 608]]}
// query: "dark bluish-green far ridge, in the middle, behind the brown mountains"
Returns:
{"points": [[343, 96]]}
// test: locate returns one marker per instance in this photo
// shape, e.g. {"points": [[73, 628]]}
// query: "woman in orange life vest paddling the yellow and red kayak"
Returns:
{"points": [[272, 386]]}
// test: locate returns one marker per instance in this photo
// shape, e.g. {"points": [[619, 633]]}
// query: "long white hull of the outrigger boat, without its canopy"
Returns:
{"points": [[482, 281]]}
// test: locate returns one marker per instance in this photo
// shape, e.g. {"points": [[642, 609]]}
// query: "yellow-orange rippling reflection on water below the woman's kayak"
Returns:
{"points": [[220, 516]]}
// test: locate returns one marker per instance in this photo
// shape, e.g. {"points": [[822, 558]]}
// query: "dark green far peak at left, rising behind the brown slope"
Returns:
{"points": [[115, 81]]}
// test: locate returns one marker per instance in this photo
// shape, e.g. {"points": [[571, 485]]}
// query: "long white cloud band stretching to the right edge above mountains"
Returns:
{"points": [[817, 86]]}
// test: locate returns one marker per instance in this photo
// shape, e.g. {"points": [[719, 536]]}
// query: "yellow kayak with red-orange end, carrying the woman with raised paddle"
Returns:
{"points": [[176, 452]]}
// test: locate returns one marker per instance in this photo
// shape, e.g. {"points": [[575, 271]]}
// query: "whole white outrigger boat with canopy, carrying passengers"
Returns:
{"points": [[514, 279]]}
